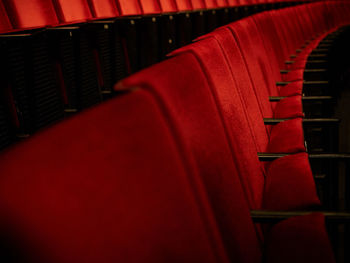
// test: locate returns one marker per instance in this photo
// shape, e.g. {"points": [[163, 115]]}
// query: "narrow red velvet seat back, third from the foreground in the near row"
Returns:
{"points": [[234, 115]]}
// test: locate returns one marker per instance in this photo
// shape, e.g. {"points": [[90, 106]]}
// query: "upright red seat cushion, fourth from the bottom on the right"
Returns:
{"points": [[290, 107]]}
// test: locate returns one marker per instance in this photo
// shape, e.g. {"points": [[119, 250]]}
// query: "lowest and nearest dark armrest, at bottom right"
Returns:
{"points": [[259, 216]]}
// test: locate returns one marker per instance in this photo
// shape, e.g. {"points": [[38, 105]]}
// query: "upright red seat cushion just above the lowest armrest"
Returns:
{"points": [[290, 185]]}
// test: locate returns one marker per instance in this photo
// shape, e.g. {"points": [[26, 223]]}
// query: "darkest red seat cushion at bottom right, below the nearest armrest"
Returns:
{"points": [[299, 239]]}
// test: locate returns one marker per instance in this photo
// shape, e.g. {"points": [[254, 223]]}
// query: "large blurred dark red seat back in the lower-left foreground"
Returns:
{"points": [[109, 185]]}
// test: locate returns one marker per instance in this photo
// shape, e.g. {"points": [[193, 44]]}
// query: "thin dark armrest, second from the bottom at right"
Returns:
{"points": [[268, 157]]}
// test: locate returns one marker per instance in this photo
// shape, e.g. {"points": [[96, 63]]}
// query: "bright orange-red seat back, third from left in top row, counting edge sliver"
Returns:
{"points": [[73, 11]]}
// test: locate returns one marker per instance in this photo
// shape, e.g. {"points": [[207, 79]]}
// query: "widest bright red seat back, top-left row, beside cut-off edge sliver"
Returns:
{"points": [[30, 13]]}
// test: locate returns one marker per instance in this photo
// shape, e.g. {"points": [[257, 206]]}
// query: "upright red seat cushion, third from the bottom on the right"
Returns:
{"points": [[287, 136]]}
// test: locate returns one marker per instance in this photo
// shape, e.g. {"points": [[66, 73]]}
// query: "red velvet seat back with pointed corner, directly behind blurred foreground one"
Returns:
{"points": [[191, 108]]}
